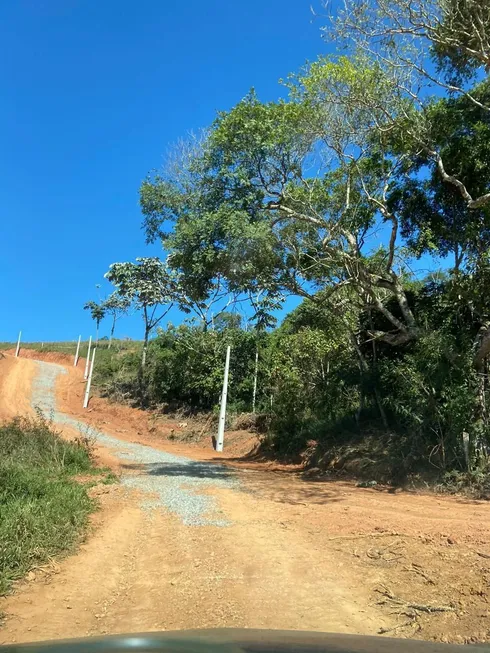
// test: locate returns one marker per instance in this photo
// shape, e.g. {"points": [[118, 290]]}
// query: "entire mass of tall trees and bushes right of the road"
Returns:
{"points": [[376, 157]]}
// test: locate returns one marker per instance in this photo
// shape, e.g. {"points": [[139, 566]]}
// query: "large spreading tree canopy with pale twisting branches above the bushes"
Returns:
{"points": [[295, 196]]}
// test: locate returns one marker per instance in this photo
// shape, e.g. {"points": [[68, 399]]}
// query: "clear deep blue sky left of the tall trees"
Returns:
{"points": [[94, 91]]}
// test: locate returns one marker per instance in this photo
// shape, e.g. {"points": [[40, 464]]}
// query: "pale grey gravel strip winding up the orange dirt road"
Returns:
{"points": [[173, 482]]}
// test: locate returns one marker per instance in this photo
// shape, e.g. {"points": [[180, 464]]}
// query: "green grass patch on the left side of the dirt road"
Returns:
{"points": [[43, 510]]}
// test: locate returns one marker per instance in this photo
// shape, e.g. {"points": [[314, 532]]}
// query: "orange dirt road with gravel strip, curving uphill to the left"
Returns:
{"points": [[183, 542]]}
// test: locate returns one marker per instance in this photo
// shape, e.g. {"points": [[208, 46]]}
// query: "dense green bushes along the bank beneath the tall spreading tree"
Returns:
{"points": [[316, 382]]}
